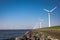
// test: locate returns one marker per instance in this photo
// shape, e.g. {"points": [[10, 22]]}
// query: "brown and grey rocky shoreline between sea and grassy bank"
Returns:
{"points": [[31, 35]]}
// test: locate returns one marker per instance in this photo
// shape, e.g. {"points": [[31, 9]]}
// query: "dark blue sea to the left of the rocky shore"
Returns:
{"points": [[7, 34]]}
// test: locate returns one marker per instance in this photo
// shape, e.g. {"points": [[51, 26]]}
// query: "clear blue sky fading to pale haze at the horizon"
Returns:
{"points": [[27, 14]]}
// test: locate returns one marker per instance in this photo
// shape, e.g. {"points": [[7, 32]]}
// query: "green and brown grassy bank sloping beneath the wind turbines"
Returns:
{"points": [[53, 31]]}
